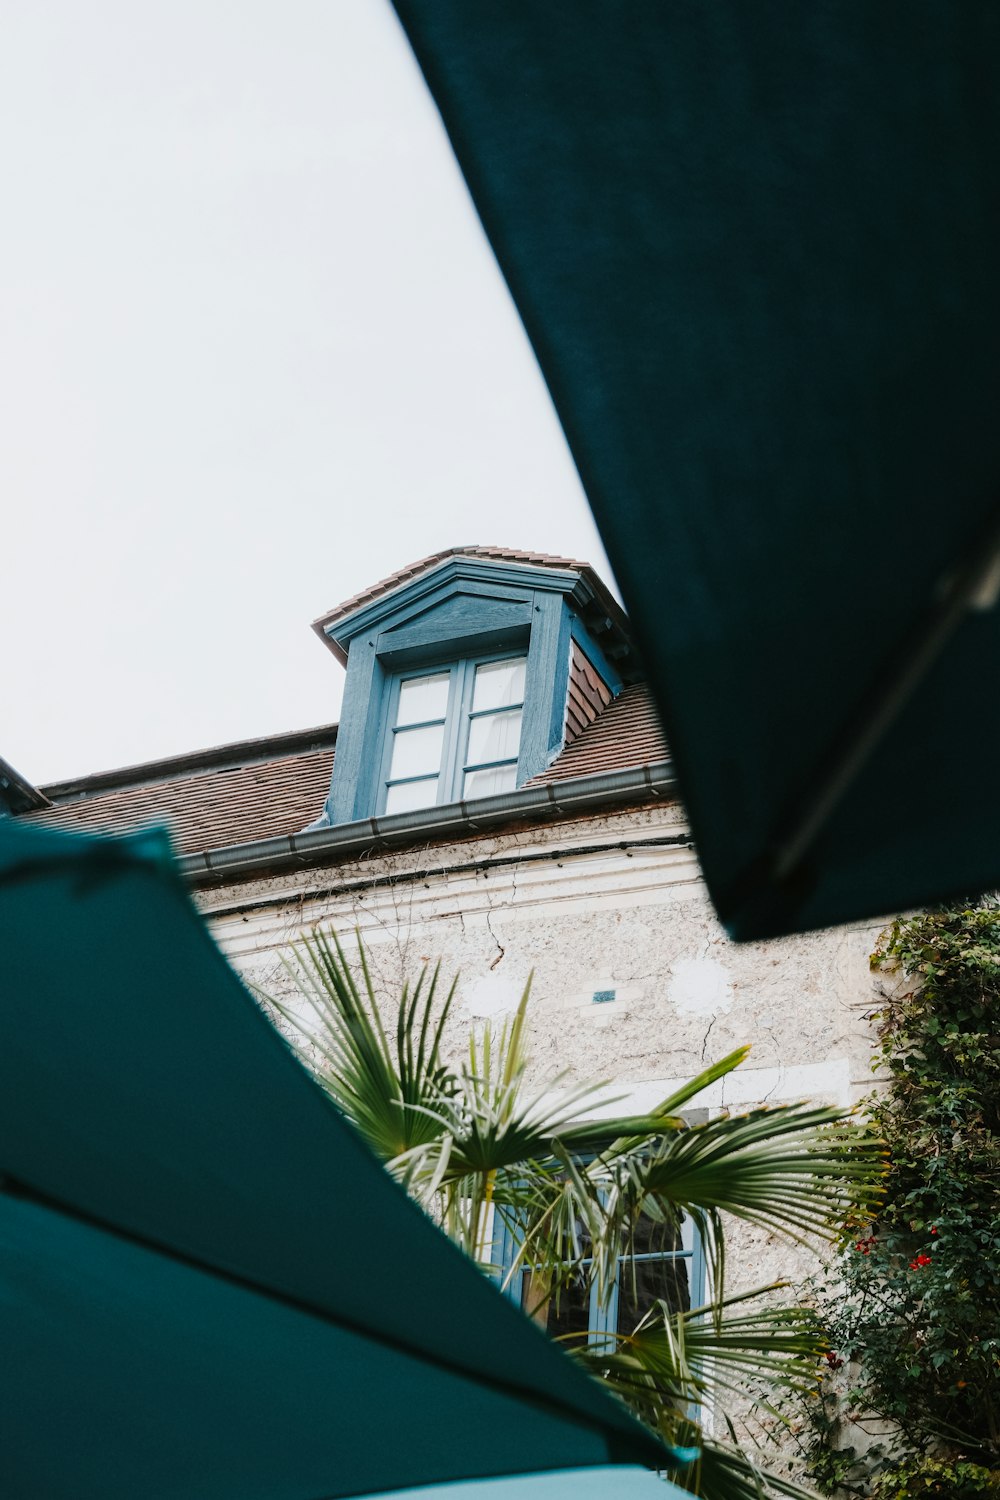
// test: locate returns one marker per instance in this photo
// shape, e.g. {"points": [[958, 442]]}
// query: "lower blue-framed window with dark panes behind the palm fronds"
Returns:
{"points": [[665, 1265]]}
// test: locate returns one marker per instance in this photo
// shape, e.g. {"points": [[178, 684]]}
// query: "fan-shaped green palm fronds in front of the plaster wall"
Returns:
{"points": [[475, 1141]]}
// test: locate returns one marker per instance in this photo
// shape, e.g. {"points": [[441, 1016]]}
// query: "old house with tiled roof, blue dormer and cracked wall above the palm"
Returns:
{"points": [[499, 796]]}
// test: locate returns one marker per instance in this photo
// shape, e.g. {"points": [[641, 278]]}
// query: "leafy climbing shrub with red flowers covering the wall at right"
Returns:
{"points": [[923, 1309]]}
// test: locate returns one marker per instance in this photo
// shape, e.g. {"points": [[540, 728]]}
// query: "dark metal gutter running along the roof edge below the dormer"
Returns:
{"points": [[573, 799]]}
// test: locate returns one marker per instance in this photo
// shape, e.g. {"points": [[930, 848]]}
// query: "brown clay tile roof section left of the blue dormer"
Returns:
{"points": [[209, 806]]}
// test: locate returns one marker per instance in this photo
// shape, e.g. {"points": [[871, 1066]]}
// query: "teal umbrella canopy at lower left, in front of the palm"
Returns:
{"points": [[208, 1286]]}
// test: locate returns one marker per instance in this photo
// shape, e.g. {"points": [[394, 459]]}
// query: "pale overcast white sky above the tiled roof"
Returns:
{"points": [[254, 355]]}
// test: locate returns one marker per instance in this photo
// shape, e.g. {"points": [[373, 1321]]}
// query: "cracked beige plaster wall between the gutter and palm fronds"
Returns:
{"points": [[597, 905]]}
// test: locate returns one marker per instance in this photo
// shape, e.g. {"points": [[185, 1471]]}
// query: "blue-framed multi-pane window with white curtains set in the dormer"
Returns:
{"points": [[452, 733]]}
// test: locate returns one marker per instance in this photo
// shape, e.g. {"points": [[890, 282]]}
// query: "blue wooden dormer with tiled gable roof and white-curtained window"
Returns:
{"points": [[467, 676]]}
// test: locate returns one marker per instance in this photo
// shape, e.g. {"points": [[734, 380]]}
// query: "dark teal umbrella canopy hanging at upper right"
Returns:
{"points": [[756, 251]]}
